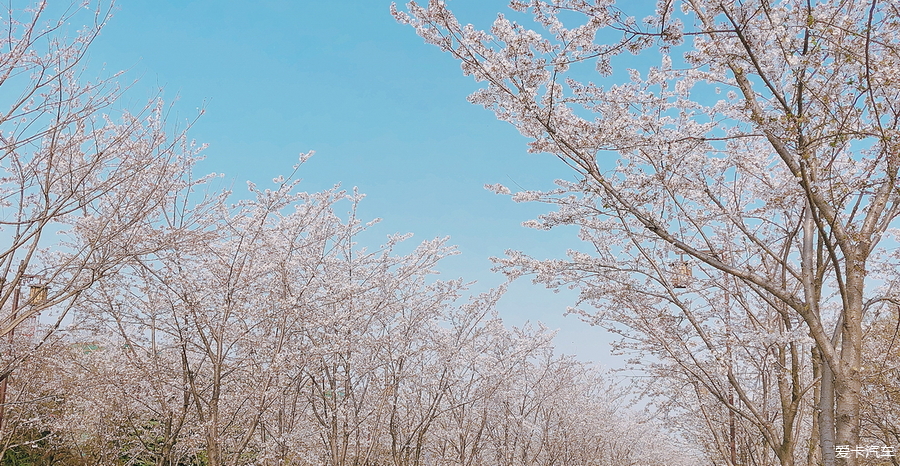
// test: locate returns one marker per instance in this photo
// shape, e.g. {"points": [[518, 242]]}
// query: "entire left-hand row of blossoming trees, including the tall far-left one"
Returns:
{"points": [[179, 326]]}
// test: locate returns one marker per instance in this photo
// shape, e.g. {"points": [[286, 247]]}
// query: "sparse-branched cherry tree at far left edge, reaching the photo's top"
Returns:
{"points": [[82, 186]]}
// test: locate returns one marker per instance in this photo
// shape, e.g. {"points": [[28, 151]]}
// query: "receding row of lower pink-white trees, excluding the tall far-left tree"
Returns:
{"points": [[265, 335]]}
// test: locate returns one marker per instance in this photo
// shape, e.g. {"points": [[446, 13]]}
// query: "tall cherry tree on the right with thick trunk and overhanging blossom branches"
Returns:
{"points": [[751, 143]]}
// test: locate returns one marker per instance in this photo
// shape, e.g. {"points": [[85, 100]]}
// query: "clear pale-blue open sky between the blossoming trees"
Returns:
{"points": [[383, 111]]}
